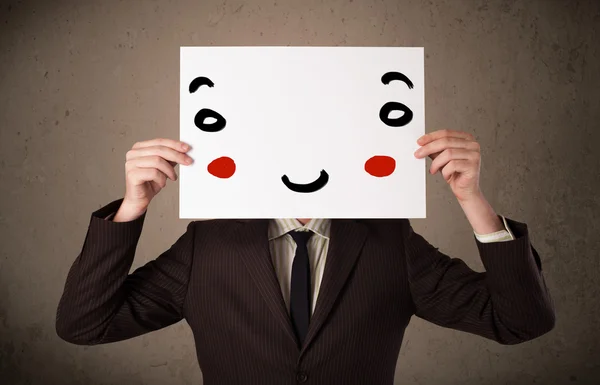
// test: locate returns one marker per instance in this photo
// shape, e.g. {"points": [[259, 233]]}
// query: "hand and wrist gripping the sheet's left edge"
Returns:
{"points": [[147, 167]]}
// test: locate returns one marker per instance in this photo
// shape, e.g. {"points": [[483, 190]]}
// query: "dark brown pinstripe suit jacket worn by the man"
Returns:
{"points": [[218, 276]]}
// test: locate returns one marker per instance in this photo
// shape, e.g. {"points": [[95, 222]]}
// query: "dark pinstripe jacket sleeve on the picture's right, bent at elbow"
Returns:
{"points": [[508, 303]]}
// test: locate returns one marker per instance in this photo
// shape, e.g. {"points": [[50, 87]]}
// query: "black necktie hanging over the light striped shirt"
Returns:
{"points": [[300, 286]]}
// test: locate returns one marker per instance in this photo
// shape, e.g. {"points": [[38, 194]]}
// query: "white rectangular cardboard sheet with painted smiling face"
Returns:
{"points": [[310, 115]]}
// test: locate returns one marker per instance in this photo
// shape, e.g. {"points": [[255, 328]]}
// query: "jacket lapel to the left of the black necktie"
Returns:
{"points": [[254, 248]]}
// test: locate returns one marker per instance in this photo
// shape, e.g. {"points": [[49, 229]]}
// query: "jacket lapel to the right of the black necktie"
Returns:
{"points": [[347, 239]]}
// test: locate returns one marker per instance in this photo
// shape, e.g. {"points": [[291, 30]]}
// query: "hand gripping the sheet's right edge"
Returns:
{"points": [[457, 155]]}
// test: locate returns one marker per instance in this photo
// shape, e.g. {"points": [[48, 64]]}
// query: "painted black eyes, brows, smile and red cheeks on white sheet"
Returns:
{"points": [[378, 166]]}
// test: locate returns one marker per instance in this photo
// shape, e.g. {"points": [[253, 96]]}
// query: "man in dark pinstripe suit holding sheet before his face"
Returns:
{"points": [[312, 301]]}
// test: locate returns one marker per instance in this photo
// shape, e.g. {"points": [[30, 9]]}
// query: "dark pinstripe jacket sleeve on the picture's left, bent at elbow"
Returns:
{"points": [[103, 303]]}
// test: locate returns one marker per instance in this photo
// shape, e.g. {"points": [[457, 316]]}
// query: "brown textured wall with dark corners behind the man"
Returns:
{"points": [[82, 81]]}
